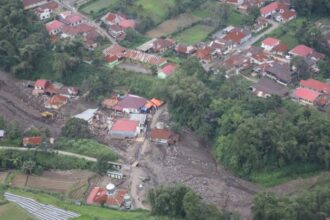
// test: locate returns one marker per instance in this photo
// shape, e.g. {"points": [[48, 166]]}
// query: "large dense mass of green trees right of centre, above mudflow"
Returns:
{"points": [[250, 134]]}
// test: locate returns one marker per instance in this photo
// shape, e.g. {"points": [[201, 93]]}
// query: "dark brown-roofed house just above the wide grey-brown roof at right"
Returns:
{"points": [[281, 72]]}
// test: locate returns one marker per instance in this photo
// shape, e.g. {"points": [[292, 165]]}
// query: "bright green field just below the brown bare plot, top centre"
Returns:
{"points": [[194, 34]]}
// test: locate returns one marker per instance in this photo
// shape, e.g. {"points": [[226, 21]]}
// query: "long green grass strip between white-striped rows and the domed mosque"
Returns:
{"points": [[88, 212]]}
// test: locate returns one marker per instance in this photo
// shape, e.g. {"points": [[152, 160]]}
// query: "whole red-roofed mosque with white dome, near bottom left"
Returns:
{"points": [[110, 196]]}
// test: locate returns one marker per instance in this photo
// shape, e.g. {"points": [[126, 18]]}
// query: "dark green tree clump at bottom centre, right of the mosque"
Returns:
{"points": [[180, 201]]}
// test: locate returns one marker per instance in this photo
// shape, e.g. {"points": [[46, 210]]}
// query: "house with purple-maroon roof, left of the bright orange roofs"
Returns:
{"points": [[130, 104]]}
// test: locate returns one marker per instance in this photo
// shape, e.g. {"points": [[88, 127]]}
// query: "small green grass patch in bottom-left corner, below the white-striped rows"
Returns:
{"points": [[11, 211]]}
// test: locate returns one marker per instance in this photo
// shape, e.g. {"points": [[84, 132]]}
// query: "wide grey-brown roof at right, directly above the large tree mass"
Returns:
{"points": [[270, 87]]}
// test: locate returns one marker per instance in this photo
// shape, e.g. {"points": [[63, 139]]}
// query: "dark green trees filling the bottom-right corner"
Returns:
{"points": [[313, 204]]}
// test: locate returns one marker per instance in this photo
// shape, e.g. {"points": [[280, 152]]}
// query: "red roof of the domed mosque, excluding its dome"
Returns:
{"points": [[99, 195]]}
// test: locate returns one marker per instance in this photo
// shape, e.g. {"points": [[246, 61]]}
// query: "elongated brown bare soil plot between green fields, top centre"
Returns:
{"points": [[173, 25]]}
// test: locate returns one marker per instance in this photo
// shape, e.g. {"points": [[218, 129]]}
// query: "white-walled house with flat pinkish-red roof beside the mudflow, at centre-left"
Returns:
{"points": [[125, 128]]}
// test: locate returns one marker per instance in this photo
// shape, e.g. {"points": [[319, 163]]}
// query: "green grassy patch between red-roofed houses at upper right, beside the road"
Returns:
{"points": [[287, 33]]}
